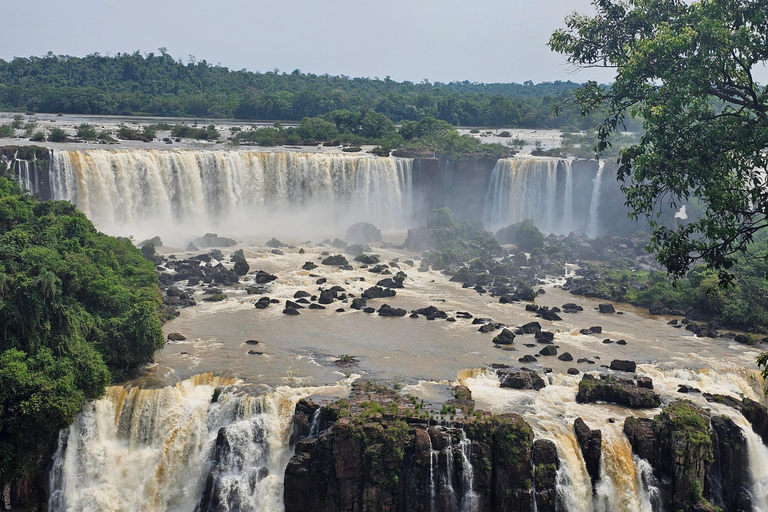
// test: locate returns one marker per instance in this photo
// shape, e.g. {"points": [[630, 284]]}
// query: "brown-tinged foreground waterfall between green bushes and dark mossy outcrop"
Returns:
{"points": [[162, 449]]}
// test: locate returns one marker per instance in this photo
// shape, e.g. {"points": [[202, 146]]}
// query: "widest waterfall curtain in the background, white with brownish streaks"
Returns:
{"points": [[167, 190]]}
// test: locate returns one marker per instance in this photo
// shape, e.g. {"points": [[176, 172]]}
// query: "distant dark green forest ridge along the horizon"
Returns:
{"points": [[159, 85]]}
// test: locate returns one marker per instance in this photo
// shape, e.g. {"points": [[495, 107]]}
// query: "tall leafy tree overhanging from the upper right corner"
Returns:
{"points": [[687, 69]]}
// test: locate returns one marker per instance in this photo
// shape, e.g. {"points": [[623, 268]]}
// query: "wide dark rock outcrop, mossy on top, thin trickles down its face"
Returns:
{"points": [[376, 451]]}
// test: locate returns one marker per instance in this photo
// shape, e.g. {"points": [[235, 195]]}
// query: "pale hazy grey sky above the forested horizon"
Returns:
{"points": [[441, 40]]}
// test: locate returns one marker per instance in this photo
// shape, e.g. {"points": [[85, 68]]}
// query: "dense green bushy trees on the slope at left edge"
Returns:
{"points": [[76, 308]]}
